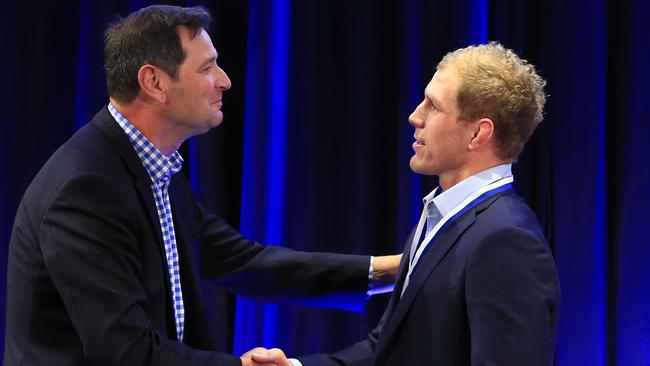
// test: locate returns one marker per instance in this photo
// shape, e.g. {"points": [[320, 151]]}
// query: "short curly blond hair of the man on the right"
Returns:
{"points": [[497, 84]]}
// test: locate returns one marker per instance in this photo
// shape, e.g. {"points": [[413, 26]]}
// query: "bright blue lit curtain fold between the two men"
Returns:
{"points": [[262, 213]]}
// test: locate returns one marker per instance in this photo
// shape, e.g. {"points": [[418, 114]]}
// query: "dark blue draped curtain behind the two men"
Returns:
{"points": [[314, 150]]}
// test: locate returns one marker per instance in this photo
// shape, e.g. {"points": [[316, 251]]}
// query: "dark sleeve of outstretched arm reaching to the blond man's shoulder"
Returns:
{"points": [[279, 274]]}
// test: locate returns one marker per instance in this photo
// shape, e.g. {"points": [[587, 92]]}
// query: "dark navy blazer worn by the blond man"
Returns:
{"points": [[486, 293]]}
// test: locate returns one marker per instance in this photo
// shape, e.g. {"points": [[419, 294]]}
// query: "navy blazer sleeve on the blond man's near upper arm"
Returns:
{"points": [[512, 293]]}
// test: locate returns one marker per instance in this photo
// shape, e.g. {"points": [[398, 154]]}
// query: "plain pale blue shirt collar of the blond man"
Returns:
{"points": [[452, 197]]}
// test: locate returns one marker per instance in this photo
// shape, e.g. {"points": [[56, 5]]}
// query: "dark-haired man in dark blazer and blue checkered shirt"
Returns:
{"points": [[101, 268]]}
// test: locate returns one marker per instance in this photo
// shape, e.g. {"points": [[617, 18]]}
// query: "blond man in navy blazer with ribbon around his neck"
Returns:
{"points": [[478, 283]]}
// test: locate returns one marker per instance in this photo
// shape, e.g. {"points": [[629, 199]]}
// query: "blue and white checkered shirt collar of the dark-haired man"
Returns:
{"points": [[159, 167]]}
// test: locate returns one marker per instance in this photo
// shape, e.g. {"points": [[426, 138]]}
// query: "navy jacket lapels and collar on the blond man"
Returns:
{"points": [[428, 264]]}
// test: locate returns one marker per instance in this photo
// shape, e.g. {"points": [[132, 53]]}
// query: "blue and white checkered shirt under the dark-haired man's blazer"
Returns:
{"points": [[160, 169]]}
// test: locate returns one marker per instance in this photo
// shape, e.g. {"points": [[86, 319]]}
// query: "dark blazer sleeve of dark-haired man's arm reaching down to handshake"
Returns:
{"points": [[92, 254]]}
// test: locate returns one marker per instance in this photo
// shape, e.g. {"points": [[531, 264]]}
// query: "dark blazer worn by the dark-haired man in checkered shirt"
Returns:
{"points": [[87, 282]]}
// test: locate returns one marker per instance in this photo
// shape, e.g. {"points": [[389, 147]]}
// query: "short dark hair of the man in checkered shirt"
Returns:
{"points": [[147, 36]]}
